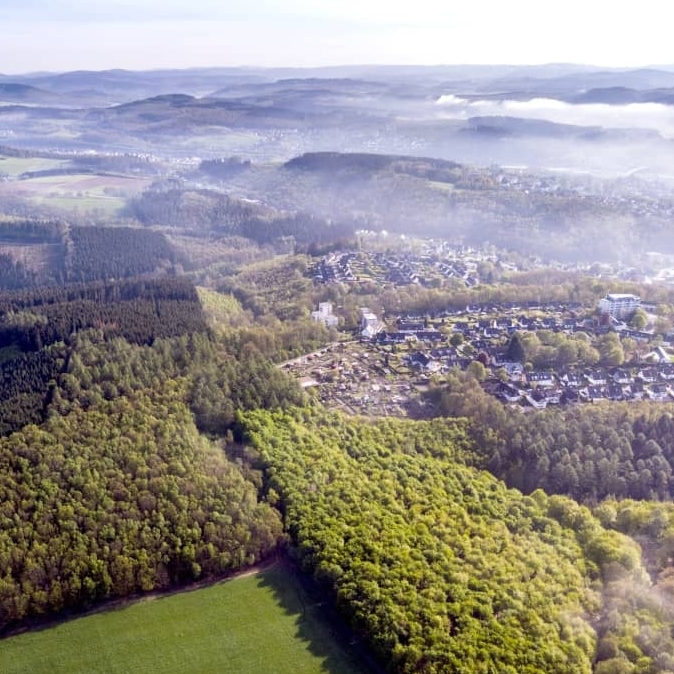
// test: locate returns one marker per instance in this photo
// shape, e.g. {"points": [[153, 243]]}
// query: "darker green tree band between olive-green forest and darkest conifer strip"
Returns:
{"points": [[220, 375]]}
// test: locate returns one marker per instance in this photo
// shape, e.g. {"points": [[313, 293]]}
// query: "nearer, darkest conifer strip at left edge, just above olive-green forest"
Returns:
{"points": [[141, 310]]}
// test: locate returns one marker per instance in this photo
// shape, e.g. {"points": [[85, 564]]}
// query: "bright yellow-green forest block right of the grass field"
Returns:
{"points": [[439, 566]]}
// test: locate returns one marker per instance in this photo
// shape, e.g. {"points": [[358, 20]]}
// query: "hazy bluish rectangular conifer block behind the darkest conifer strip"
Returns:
{"points": [[115, 252]]}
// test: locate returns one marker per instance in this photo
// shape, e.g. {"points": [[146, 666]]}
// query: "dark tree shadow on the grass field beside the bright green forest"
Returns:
{"points": [[318, 624]]}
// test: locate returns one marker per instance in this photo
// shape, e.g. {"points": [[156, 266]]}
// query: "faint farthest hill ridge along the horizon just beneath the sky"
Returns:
{"points": [[561, 80]]}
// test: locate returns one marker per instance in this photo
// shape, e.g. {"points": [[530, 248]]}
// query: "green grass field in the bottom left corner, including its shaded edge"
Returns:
{"points": [[268, 622]]}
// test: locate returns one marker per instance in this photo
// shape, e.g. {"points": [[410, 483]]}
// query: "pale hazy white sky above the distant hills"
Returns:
{"points": [[59, 35]]}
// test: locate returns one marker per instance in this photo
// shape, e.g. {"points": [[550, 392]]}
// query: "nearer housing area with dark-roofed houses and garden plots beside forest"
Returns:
{"points": [[386, 366]]}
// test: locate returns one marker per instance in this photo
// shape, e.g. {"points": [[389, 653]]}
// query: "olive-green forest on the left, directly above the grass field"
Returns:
{"points": [[116, 491]]}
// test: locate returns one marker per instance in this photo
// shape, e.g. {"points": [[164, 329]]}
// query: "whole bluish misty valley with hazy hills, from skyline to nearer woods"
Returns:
{"points": [[584, 153]]}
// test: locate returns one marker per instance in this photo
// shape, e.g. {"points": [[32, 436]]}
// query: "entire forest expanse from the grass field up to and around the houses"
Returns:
{"points": [[149, 440]]}
